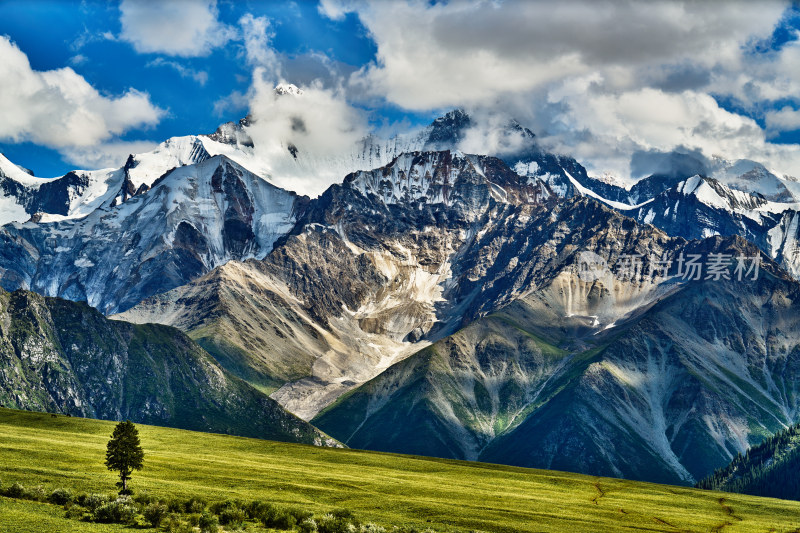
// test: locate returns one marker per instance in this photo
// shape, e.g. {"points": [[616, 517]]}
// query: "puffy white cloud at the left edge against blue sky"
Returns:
{"points": [[60, 109]]}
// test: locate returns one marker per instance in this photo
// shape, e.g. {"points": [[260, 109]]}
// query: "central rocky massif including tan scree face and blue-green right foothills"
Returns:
{"points": [[443, 292]]}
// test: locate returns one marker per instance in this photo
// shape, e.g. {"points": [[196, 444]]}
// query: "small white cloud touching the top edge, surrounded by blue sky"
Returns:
{"points": [[186, 28]]}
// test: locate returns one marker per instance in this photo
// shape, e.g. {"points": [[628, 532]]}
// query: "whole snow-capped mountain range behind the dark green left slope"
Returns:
{"points": [[436, 302]]}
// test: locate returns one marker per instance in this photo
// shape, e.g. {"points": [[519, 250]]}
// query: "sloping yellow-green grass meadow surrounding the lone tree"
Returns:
{"points": [[37, 449]]}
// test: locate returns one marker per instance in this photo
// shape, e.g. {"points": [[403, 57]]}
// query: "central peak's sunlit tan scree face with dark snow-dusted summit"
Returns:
{"points": [[356, 284]]}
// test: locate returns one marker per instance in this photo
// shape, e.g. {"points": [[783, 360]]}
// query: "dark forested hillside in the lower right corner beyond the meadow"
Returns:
{"points": [[768, 469]]}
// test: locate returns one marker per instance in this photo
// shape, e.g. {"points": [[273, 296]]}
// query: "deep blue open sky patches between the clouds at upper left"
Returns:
{"points": [[54, 33]]}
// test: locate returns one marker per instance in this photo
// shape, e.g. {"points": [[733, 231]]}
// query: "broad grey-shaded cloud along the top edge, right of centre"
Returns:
{"points": [[446, 54]]}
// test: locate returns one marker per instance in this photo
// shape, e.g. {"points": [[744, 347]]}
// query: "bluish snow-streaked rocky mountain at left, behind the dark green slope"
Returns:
{"points": [[192, 220]]}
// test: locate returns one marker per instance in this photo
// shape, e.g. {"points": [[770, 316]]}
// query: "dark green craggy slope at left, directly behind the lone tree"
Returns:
{"points": [[65, 357]]}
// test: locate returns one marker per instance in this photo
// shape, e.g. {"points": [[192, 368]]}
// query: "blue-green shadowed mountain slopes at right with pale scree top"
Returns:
{"points": [[692, 375]]}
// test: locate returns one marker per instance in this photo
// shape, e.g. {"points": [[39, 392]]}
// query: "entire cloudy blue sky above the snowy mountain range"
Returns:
{"points": [[599, 84]]}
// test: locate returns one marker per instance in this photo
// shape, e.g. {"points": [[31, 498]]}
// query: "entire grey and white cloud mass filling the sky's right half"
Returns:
{"points": [[600, 82]]}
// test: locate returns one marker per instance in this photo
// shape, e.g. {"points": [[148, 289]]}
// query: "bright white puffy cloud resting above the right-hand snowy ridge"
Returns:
{"points": [[605, 129]]}
